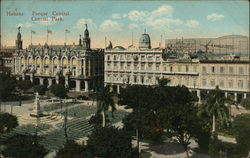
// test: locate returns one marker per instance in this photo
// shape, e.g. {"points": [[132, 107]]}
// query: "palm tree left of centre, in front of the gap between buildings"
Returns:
{"points": [[104, 101]]}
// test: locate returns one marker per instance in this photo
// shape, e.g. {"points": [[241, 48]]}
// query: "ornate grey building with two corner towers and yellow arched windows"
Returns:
{"points": [[77, 66]]}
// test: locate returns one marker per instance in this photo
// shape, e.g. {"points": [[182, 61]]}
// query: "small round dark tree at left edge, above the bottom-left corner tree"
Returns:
{"points": [[7, 122]]}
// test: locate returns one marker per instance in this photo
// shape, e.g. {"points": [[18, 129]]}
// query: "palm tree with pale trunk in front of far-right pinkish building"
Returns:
{"points": [[215, 107]]}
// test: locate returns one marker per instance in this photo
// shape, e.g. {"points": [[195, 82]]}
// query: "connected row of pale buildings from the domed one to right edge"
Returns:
{"points": [[145, 66]]}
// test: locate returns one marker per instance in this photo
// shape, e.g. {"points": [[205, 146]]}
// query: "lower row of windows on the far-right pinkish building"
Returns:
{"points": [[230, 83]]}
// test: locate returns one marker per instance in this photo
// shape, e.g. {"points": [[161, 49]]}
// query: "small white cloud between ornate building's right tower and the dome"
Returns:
{"points": [[110, 25]]}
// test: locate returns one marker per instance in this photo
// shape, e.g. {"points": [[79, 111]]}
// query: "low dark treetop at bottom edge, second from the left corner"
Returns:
{"points": [[72, 149]]}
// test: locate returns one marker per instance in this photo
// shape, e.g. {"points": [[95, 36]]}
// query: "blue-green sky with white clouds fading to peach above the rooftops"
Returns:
{"points": [[118, 19]]}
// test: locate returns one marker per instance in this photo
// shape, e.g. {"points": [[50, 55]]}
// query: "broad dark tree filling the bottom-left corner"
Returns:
{"points": [[20, 146]]}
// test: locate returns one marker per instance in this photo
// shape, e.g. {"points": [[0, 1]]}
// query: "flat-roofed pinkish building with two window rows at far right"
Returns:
{"points": [[231, 77]]}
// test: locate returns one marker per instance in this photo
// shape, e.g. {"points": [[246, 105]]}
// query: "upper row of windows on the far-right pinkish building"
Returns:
{"points": [[222, 70]]}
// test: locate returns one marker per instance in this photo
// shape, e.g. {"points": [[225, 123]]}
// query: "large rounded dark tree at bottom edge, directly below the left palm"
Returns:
{"points": [[110, 142]]}
